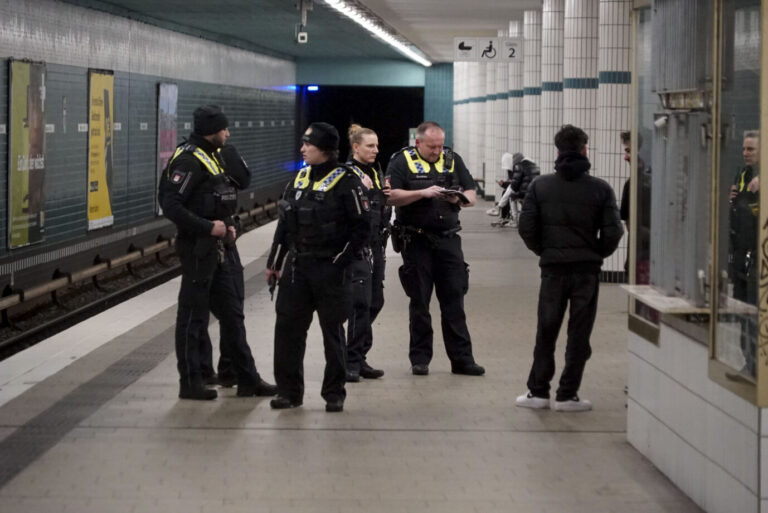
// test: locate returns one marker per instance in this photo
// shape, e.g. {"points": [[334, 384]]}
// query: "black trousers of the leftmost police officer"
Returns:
{"points": [[208, 285]]}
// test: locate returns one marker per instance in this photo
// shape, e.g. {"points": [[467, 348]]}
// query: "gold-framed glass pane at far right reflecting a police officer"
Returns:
{"points": [[738, 197]]}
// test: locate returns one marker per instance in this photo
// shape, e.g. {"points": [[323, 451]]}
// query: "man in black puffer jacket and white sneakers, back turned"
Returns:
{"points": [[570, 220]]}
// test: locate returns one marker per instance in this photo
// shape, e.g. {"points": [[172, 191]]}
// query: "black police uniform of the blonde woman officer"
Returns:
{"points": [[367, 276]]}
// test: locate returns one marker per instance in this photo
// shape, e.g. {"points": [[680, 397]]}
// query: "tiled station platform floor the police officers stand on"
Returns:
{"points": [[90, 420]]}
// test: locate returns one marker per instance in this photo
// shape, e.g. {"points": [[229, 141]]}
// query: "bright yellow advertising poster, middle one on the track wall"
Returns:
{"points": [[100, 160]]}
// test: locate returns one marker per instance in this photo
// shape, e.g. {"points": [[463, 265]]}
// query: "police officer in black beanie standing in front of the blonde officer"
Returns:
{"points": [[323, 226]]}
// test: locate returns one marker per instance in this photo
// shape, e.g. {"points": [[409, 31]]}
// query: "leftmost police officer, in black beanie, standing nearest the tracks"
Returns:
{"points": [[199, 198]]}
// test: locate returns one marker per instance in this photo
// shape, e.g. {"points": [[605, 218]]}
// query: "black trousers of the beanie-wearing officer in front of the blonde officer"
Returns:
{"points": [[308, 285]]}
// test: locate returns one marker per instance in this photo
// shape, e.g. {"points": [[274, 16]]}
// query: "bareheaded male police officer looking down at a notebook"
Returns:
{"points": [[430, 184]]}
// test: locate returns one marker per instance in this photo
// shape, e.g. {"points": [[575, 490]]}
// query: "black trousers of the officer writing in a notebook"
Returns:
{"points": [[436, 263]]}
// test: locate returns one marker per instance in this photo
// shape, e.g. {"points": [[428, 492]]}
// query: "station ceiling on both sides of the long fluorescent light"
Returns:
{"points": [[269, 26]]}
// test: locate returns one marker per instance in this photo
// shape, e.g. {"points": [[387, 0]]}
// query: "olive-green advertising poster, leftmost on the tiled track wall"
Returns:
{"points": [[26, 153]]}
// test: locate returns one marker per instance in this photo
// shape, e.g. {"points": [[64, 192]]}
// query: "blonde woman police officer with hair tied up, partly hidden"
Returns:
{"points": [[367, 275]]}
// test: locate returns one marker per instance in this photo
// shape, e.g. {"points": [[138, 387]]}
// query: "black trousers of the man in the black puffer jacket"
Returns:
{"points": [[557, 290]]}
